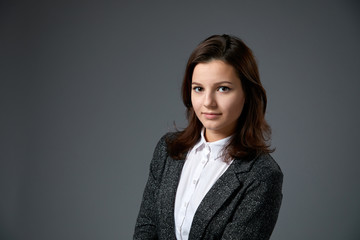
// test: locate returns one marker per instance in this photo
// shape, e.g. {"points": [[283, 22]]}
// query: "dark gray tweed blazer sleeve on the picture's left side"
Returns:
{"points": [[146, 224]]}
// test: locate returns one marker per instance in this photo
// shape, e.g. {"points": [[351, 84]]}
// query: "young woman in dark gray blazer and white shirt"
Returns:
{"points": [[215, 179]]}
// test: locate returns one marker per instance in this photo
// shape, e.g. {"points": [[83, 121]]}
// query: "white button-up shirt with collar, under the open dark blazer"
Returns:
{"points": [[203, 166]]}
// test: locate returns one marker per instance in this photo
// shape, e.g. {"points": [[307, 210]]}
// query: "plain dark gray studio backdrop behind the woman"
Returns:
{"points": [[87, 89]]}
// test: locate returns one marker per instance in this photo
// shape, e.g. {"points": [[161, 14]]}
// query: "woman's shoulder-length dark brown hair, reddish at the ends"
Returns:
{"points": [[252, 131]]}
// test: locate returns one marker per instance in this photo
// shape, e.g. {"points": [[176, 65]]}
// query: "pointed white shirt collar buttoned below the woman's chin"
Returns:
{"points": [[216, 148]]}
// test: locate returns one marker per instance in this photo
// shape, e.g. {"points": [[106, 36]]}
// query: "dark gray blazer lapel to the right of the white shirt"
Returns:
{"points": [[217, 195]]}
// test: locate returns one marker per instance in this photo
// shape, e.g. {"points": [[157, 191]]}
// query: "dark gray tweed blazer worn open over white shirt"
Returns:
{"points": [[242, 204]]}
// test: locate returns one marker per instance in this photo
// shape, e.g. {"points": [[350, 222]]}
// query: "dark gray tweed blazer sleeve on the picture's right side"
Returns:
{"points": [[257, 213]]}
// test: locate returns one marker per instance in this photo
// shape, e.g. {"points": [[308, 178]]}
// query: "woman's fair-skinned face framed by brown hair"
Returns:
{"points": [[217, 98]]}
